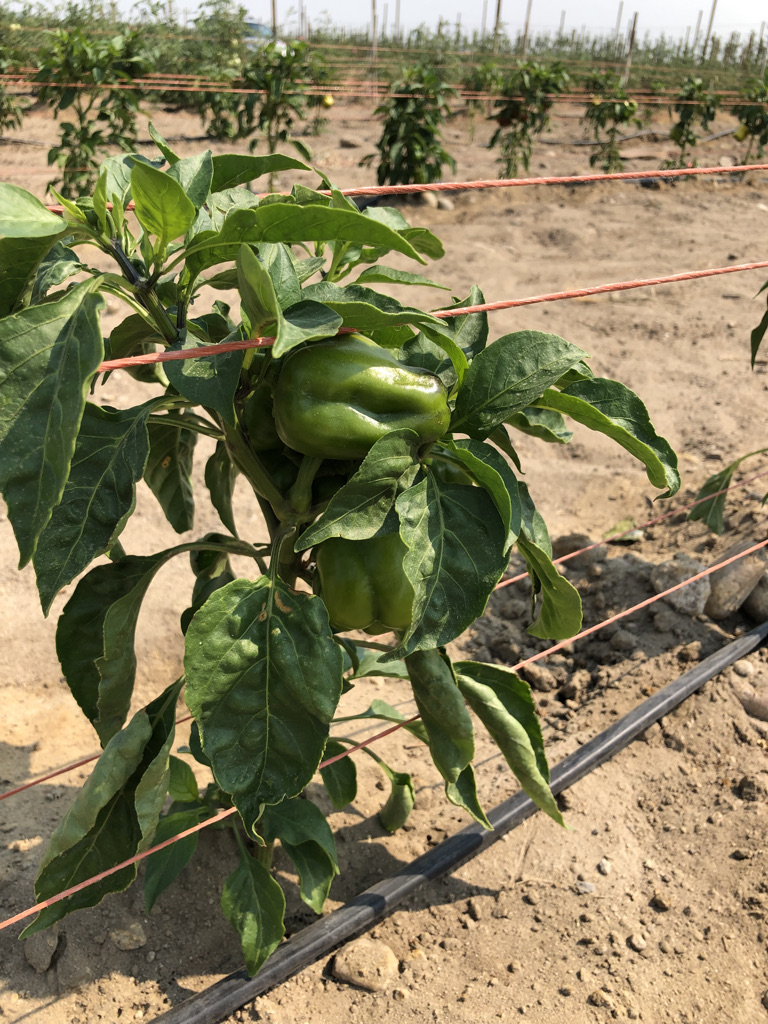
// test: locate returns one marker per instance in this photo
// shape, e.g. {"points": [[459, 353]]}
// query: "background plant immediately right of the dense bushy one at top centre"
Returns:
{"points": [[524, 112]]}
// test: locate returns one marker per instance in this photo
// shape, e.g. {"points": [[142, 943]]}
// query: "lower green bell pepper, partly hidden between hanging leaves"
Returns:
{"points": [[364, 585]]}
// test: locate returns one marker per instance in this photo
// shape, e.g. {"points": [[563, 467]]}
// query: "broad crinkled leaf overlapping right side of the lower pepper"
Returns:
{"points": [[456, 541]]}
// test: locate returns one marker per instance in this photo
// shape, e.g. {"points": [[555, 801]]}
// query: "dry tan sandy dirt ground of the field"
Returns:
{"points": [[673, 926]]}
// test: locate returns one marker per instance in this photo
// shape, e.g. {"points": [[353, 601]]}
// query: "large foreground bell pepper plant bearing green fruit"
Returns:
{"points": [[383, 463]]}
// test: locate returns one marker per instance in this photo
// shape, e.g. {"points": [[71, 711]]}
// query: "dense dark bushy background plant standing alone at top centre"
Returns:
{"points": [[411, 150]]}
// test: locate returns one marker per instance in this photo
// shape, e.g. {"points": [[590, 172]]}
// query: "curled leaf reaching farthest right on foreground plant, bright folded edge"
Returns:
{"points": [[616, 411]]}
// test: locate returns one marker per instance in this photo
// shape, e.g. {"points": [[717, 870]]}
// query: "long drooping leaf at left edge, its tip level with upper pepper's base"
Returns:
{"points": [[49, 357]]}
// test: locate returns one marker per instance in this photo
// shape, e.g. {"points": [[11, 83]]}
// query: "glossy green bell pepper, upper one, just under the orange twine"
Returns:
{"points": [[335, 398]]}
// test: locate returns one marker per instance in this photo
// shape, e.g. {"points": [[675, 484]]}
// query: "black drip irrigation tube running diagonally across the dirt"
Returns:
{"points": [[321, 938]]}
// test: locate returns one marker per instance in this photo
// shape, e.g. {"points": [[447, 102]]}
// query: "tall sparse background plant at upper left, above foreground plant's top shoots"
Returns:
{"points": [[77, 72]]}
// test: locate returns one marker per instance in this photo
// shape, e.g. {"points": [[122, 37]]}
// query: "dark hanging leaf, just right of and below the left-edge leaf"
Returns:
{"points": [[101, 494]]}
